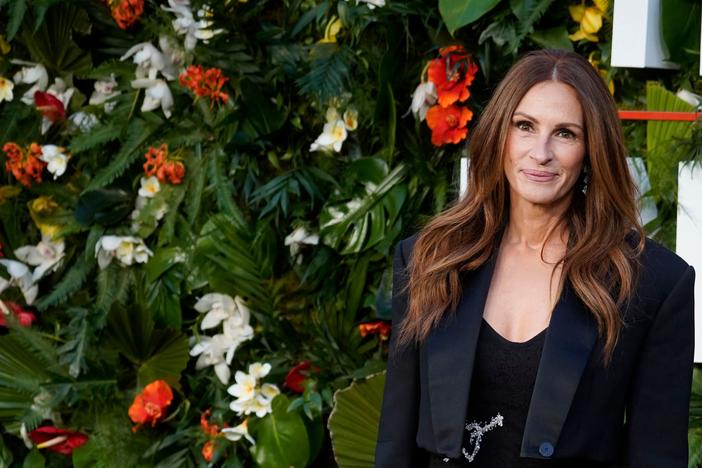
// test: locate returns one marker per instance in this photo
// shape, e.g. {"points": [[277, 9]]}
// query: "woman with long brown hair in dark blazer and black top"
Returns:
{"points": [[533, 322]]}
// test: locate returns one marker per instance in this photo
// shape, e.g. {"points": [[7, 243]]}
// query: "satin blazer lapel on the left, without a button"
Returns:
{"points": [[450, 351]]}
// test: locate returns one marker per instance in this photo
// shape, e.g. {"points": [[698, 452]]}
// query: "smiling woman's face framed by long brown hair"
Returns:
{"points": [[545, 145]]}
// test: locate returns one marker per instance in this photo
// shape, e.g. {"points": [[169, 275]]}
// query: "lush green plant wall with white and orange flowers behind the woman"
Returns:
{"points": [[199, 201]]}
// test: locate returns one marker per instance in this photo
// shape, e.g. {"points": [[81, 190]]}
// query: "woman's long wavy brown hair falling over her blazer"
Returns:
{"points": [[600, 261]]}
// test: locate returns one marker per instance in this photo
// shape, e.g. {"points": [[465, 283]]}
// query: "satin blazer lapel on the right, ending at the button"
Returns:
{"points": [[567, 347]]}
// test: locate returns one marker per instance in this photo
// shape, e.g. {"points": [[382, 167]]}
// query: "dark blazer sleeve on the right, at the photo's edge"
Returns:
{"points": [[658, 408]]}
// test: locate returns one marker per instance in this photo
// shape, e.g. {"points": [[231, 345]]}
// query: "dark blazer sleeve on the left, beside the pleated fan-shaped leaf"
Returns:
{"points": [[397, 431]]}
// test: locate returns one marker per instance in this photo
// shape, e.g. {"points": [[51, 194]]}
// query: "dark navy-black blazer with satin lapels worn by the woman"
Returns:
{"points": [[634, 411]]}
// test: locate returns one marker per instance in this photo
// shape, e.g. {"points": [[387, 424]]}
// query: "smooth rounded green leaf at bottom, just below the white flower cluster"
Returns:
{"points": [[281, 438]]}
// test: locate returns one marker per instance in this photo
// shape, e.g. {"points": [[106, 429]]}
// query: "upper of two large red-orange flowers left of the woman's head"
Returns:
{"points": [[452, 74]]}
